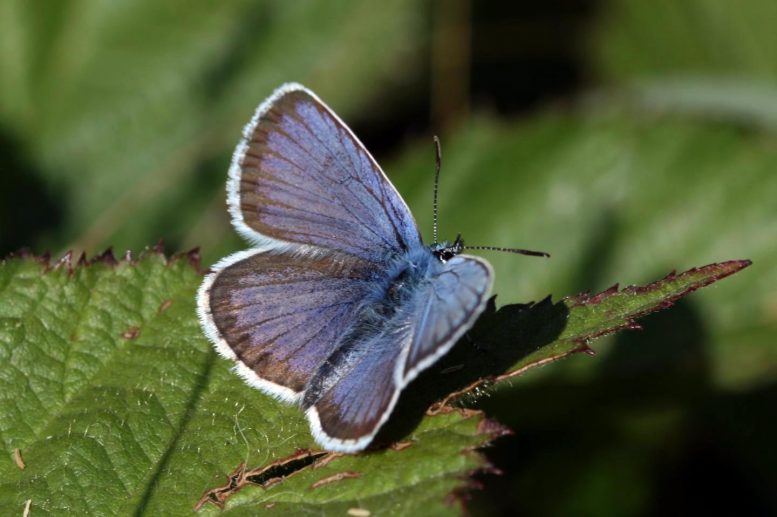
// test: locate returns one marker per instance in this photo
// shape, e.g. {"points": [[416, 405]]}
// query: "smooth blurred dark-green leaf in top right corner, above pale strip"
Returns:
{"points": [[638, 39]]}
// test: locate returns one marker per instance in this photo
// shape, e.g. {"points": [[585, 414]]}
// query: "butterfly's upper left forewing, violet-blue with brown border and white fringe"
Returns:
{"points": [[302, 177]]}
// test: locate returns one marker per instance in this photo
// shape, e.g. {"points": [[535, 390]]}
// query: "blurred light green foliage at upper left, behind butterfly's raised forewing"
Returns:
{"points": [[125, 110]]}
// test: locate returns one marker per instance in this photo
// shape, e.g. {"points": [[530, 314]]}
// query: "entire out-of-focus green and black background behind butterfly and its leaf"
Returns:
{"points": [[626, 137]]}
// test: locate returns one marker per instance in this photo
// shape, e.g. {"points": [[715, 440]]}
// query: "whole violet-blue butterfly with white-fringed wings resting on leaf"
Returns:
{"points": [[339, 304]]}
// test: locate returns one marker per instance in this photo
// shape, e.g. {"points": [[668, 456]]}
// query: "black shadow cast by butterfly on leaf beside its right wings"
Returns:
{"points": [[498, 340]]}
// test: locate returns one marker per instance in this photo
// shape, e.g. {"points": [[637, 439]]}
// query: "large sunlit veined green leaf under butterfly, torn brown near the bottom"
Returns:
{"points": [[118, 405]]}
